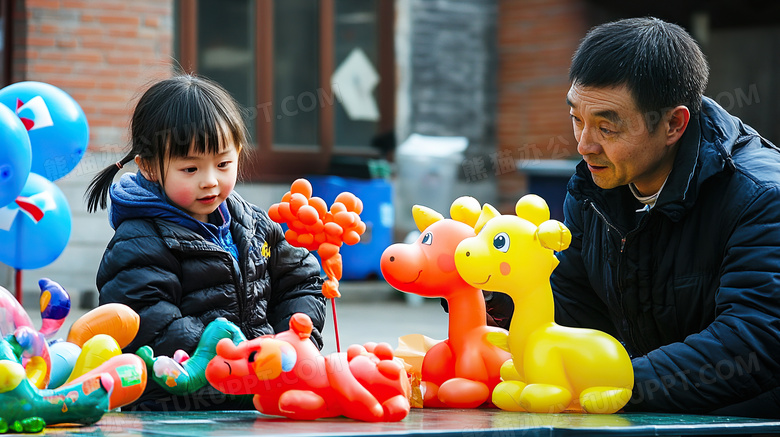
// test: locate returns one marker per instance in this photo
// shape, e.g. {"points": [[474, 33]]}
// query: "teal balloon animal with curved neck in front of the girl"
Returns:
{"points": [[183, 374]]}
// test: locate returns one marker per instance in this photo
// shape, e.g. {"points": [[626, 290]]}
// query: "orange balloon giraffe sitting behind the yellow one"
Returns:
{"points": [[461, 371]]}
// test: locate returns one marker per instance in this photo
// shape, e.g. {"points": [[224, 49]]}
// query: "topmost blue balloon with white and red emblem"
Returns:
{"points": [[56, 124]]}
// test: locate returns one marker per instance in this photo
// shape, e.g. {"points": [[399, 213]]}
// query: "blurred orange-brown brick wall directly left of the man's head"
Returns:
{"points": [[536, 39]]}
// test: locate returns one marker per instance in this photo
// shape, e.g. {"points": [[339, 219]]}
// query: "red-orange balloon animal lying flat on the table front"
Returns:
{"points": [[290, 377]]}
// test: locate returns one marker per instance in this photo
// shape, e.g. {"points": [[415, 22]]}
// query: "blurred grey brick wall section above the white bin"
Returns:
{"points": [[452, 68]]}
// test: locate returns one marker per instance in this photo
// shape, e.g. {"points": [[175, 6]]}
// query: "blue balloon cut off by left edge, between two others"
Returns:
{"points": [[15, 155]]}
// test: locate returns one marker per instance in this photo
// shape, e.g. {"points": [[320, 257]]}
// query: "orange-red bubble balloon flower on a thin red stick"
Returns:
{"points": [[313, 226]]}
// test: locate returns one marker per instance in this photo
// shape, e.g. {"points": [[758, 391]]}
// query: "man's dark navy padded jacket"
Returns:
{"points": [[692, 286]]}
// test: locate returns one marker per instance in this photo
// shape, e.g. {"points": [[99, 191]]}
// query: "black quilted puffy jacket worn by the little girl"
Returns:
{"points": [[178, 282]]}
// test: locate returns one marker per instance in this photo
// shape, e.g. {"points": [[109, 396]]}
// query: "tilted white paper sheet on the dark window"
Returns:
{"points": [[353, 83]]}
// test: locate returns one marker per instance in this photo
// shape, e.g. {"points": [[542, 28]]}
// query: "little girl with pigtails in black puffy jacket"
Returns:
{"points": [[187, 249]]}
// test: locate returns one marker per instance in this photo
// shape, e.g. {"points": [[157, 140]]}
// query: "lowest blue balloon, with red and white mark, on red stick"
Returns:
{"points": [[35, 228]]}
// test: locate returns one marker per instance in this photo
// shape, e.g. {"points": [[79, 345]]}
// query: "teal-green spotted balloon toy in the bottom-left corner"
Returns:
{"points": [[25, 408]]}
